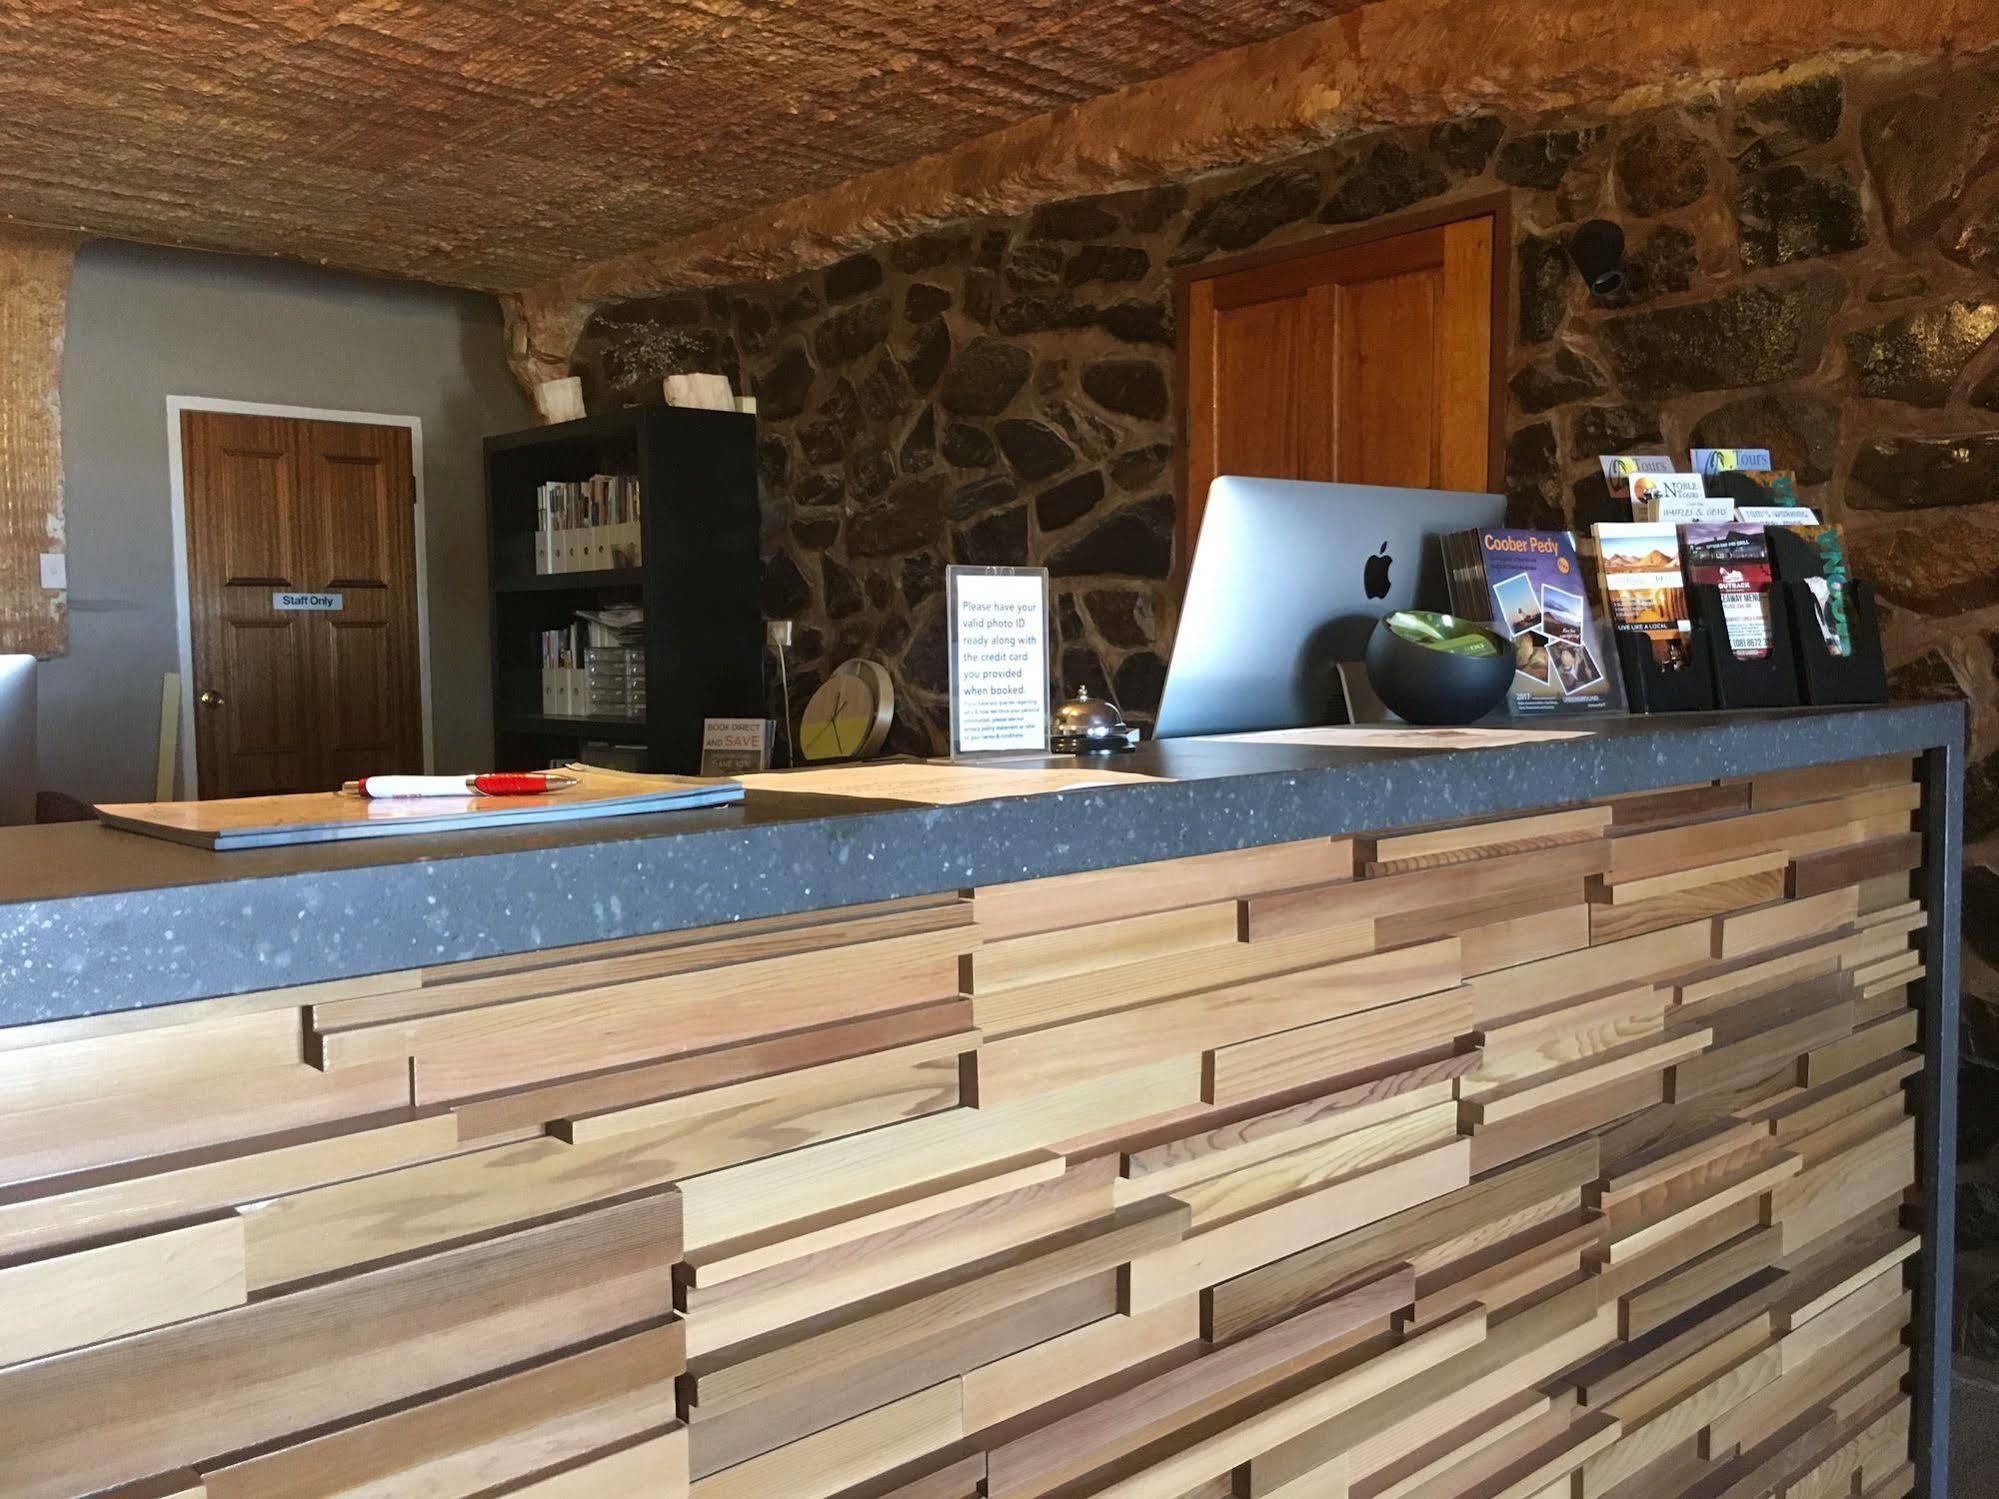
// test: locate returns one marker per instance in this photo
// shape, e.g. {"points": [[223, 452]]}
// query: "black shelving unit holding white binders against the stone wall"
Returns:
{"points": [[705, 631]]}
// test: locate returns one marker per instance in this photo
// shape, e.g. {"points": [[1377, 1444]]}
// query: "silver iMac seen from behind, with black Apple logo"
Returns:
{"points": [[1288, 581]]}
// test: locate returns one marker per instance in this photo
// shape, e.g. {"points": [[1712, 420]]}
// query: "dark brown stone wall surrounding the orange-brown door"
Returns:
{"points": [[1816, 265]]}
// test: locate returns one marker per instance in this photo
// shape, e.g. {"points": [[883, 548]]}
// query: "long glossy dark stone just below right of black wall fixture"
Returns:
{"points": [[1748, 337]]}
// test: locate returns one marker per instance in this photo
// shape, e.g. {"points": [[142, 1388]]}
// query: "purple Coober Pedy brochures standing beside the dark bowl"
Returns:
{"points": [[1532, 589]]}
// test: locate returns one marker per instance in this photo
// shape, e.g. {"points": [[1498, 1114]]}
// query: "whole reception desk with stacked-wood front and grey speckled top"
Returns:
{"points": [[1548, 1120]]}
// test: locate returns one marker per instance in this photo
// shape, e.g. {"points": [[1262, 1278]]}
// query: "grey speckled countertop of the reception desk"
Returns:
{"points": [[97, 920]]}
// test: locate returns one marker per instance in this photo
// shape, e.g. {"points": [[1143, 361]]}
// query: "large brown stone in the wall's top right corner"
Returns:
{"points": [[1926, 147]]}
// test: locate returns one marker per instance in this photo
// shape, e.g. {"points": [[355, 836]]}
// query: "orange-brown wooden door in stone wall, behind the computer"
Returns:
{"points": [[1360, 363]]}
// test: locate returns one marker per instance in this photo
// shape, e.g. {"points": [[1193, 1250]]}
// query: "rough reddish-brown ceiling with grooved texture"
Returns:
{"points": [[505, 143]]}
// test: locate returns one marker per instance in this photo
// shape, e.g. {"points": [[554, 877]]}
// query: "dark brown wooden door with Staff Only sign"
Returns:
{"points": [[301, 699]]}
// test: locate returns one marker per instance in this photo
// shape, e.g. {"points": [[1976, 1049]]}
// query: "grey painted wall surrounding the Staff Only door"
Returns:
{"points": [[147, 325]]}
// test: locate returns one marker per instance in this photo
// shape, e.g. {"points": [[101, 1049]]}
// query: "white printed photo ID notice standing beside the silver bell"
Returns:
{"points": [[999, 659]]}
